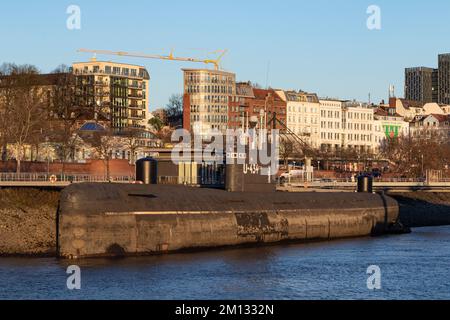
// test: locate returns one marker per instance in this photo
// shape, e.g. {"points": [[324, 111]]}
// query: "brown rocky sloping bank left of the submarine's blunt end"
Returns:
{"points": [[28, 222]]}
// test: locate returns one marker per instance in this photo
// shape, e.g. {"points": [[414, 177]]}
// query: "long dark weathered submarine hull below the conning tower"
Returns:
{"points": [[109, 219]]}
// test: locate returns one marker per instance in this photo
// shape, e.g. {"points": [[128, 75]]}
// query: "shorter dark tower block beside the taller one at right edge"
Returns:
{"points": [[421, 84]]}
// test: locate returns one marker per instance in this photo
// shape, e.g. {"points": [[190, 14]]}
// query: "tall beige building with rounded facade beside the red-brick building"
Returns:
{"points": [[207, 94]]}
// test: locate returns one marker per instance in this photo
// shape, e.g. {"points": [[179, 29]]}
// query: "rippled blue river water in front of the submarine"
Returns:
{"points": [[414, 266]]}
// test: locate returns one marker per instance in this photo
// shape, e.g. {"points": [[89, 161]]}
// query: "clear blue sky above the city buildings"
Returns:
{"points": [[320, 46]]}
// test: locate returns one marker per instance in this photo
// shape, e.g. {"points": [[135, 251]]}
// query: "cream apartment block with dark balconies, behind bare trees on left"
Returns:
{"points": [[117, 92]]}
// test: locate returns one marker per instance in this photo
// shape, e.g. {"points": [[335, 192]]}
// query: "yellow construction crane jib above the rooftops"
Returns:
{"points": [[215, 62]]}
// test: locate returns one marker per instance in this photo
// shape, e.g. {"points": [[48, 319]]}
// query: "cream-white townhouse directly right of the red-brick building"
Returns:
{"points": [[303, 115]]}
